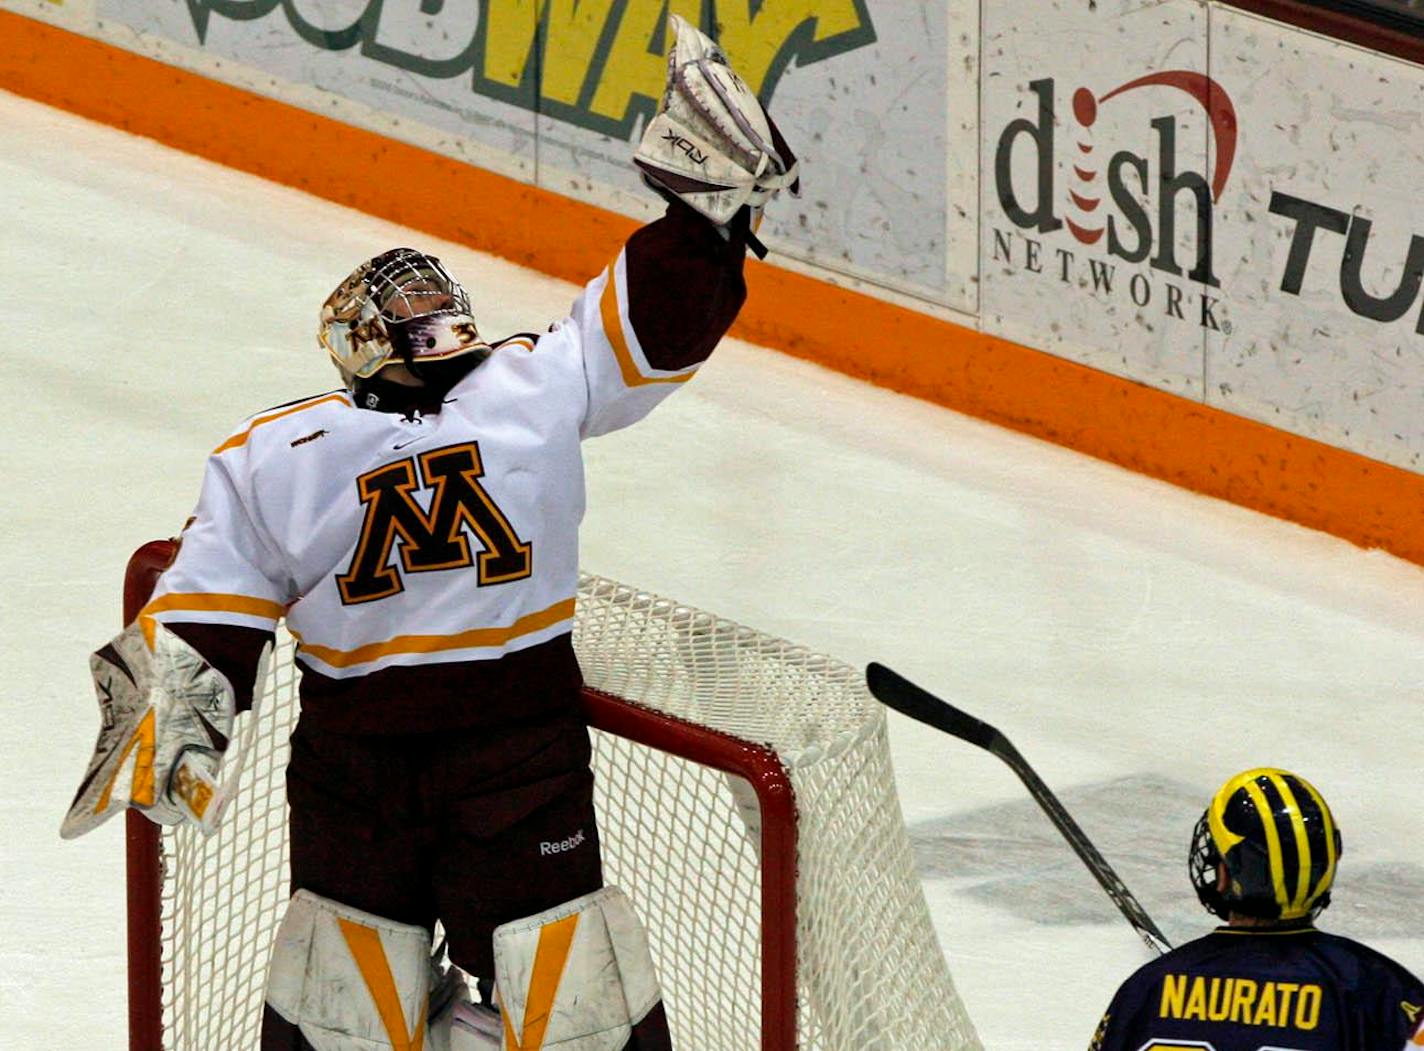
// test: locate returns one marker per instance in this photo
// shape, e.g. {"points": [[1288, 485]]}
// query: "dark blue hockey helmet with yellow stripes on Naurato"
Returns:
{"points": [[1278, 842]]}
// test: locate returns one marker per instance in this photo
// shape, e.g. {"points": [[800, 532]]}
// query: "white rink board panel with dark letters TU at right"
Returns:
{"points": [[1324, 241]]}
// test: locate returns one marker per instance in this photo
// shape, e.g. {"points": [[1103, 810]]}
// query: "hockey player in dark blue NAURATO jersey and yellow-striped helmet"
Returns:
{"points": [[1264, 858]]}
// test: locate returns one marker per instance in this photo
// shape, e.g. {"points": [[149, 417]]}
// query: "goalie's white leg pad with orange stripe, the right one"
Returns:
{"points": [[576, 978]]}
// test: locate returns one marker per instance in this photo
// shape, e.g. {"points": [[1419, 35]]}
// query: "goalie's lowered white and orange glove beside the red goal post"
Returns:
{"points": [[167, 718]]}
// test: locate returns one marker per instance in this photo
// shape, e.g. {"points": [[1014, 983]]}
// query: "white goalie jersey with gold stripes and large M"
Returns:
{"points": [[397, 542]]}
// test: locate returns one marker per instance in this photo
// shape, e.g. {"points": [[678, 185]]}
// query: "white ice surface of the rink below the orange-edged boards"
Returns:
{"points": [[1138, 643]]}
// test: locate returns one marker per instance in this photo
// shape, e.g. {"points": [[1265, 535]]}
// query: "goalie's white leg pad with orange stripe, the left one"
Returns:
{"points": [[350, 981]]}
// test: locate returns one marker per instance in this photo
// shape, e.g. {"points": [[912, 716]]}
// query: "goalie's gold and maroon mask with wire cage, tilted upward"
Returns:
{"points": [[402, 307]]}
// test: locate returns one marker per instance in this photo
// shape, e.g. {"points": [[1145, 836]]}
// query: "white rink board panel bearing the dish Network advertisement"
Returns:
{"points": [[1097, 189]]}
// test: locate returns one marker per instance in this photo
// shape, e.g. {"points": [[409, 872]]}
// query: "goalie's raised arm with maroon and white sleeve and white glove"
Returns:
{"points": [[654, 317]]}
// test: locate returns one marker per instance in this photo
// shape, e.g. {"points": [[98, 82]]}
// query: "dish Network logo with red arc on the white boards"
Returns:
{"points": [[1121, 204]]}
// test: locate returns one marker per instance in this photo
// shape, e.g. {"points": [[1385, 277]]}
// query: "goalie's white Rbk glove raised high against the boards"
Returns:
{"points": [[713, 146]]}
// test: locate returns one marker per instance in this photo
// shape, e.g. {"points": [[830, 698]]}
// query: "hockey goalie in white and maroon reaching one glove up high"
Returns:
{"points": [[418, 532]]}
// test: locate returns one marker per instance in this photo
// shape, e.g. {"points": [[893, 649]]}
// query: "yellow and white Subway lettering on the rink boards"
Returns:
{"points": [[600, 66]]}
